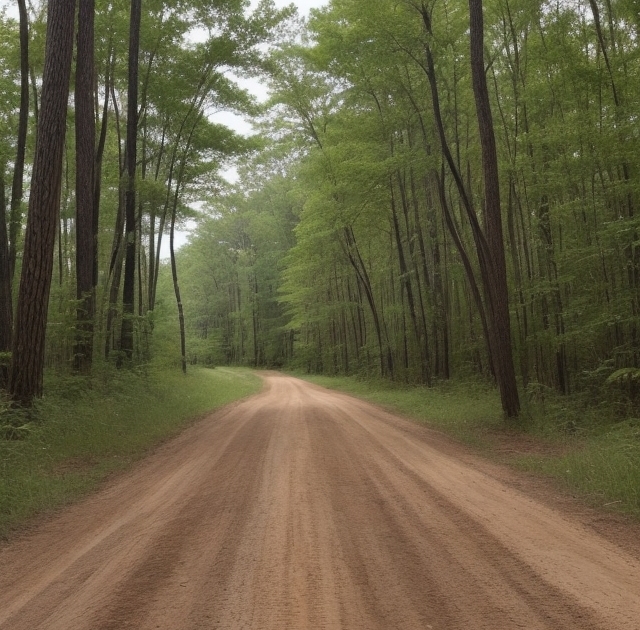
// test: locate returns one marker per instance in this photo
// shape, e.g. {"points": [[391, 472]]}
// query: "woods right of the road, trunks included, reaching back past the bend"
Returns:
{"points": [[461, 185]]}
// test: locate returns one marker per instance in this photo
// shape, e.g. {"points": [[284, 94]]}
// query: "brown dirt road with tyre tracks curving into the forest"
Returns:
{"points": [[301, 509]]}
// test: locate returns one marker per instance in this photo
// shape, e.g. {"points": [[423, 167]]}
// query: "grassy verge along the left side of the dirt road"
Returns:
{"points": [[77, 434]]}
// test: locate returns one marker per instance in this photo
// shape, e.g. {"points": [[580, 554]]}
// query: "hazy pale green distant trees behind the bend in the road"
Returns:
{"points": [[230, 279]]}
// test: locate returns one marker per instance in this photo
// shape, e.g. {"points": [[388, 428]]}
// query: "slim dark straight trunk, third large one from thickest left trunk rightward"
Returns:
{"points": [[128, 290]]}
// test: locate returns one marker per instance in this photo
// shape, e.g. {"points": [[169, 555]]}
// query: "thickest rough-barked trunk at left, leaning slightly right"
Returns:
{"points": [[27, 362]]}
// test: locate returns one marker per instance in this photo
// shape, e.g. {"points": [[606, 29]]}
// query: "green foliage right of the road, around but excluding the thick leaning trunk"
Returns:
{"points": [[352, 102]]}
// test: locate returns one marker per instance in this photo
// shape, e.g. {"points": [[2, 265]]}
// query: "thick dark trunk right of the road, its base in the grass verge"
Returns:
{"points": [[497, 280]]}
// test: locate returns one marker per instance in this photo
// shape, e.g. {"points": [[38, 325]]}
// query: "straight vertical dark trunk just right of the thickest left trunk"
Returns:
{"points": [[85, 187]]}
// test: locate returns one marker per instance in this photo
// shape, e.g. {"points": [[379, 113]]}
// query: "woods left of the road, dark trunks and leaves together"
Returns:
{"points": [[115, 150]]}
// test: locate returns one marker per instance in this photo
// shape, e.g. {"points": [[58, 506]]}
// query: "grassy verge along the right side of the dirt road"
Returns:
{"points": [[588, 449]]}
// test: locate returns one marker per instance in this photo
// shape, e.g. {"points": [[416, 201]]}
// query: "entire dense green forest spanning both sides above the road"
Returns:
{"points": [[435, 190]]}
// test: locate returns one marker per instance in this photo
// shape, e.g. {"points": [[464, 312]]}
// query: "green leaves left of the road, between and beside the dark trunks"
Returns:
{"points": [[191, 64]]}
